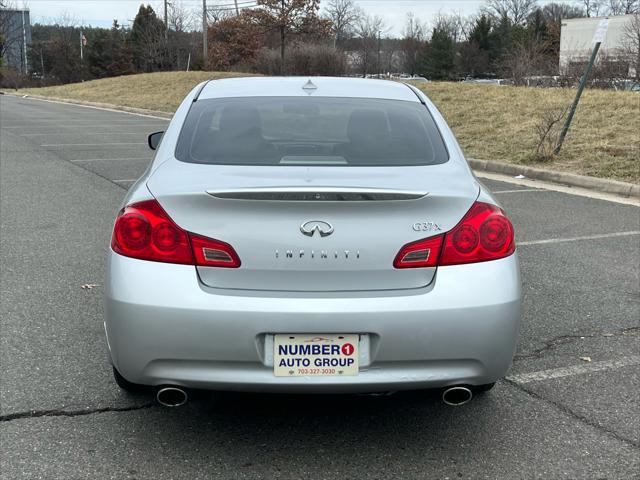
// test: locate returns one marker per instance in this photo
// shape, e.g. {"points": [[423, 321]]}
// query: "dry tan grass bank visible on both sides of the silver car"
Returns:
{"points": [[491, 122]]}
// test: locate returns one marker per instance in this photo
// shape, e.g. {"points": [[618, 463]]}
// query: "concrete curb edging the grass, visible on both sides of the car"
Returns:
{"points": [[615, 187]]}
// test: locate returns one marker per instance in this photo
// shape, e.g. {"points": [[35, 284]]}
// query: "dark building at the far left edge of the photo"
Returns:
{"points": [[15, 38]]}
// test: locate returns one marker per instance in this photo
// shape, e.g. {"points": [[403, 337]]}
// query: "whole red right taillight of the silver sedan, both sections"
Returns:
{"points": [[484, 233]]}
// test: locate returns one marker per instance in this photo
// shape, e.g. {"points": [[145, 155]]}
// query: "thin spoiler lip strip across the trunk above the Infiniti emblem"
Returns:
{"points": [[326, 194]]}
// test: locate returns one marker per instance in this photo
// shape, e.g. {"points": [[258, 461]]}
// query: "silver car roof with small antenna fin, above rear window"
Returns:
{"points": [[308, 86]]}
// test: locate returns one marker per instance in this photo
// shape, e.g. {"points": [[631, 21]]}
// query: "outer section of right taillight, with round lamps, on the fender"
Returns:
{"points": [[484, 233]]}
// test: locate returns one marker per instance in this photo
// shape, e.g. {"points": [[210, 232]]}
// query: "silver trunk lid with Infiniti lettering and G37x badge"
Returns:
{"points": [[315, 229]]}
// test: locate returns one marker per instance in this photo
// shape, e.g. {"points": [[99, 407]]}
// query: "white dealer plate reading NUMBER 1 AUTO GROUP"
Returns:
{"points": [[315, 355]]}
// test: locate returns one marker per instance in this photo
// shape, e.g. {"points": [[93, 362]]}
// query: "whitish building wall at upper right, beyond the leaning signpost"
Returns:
{"points": [[576, 39]]}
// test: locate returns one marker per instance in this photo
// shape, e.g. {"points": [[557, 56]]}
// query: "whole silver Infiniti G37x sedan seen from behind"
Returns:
{"points": [[310, 235]]}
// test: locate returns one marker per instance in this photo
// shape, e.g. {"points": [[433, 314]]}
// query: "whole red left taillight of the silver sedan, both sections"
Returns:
{"points": [[144, 230]]}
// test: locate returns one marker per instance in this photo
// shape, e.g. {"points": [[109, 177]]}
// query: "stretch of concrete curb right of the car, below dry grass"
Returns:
{"points": [[571, 179]]}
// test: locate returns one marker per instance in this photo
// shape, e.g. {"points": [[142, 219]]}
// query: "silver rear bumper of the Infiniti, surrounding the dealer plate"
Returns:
{"points": [[164, 327]]}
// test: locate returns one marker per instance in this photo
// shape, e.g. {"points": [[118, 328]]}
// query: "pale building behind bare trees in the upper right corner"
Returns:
{"points": [[576, 43]]}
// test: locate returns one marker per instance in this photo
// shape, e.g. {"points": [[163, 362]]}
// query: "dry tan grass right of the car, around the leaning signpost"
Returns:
{"points": [[499, 123]]}
